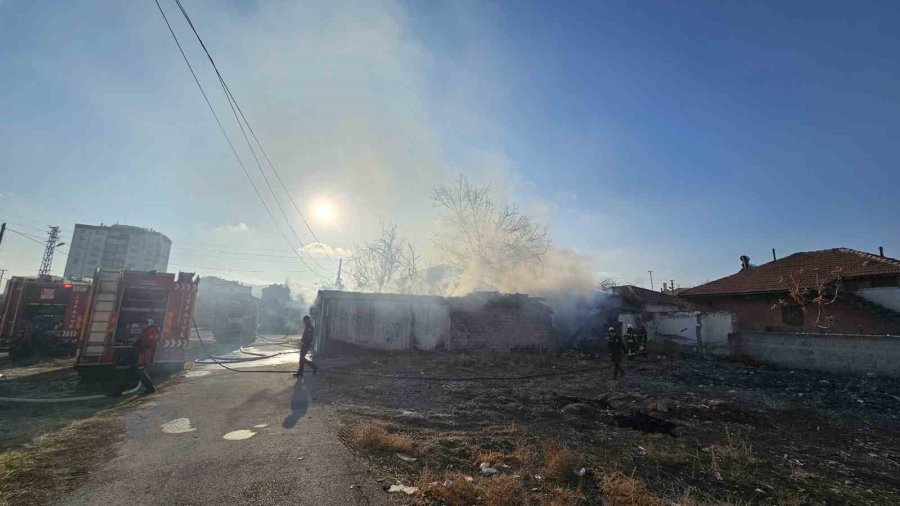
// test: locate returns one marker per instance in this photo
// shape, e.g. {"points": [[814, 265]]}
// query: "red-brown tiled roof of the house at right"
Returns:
{"points": [[775, 276]]}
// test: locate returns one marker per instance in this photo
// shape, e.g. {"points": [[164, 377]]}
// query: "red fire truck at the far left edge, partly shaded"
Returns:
{"points": [[43, 316]]}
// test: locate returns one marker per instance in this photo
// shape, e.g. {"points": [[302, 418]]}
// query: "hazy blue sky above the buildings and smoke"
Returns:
{"points": [[649, 135]]}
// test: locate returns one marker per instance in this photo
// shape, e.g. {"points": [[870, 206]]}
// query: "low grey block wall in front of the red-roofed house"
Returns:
{"points": [[839, 353]]}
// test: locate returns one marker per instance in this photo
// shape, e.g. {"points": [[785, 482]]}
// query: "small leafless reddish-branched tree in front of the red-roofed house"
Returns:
{"points": [[815, 291]]}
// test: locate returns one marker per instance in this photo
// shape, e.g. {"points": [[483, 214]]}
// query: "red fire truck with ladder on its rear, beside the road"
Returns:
{"points": [[124, 303]]}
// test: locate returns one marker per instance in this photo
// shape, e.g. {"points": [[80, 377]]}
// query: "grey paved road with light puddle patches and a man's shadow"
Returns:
{"points": [[200, 467]]}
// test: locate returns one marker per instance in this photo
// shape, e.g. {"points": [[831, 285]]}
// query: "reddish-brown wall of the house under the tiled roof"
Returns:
{"points": [[754, 313]]}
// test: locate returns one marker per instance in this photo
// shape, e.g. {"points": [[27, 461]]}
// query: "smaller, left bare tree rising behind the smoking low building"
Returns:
{"points": [[388, 262]]}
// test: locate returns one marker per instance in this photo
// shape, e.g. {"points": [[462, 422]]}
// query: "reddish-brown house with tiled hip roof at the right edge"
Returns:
{"points": [[862, 291]]}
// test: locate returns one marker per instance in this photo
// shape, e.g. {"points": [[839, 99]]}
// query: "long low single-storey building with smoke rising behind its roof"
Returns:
{"points": [[479, 321]]}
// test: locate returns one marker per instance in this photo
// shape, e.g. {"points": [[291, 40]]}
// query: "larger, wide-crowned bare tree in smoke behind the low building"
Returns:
{"points": [[478, 233]]}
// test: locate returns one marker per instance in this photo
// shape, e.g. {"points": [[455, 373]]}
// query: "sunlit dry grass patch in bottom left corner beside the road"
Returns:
{"points": [[54, 464]]}
